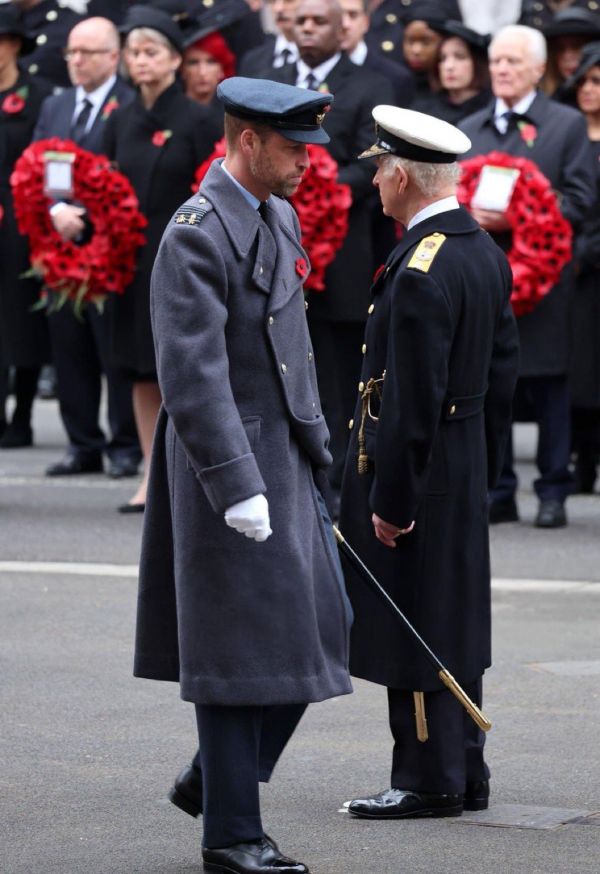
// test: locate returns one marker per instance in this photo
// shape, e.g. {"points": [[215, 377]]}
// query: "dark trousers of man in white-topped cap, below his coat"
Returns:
{"points": [[453, 755]]}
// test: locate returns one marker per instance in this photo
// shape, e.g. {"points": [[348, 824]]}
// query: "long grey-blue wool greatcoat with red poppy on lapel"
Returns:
{"points": [[235, 621]]}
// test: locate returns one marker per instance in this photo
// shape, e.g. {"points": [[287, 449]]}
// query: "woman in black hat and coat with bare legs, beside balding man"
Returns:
{"points": [[157, 142]]}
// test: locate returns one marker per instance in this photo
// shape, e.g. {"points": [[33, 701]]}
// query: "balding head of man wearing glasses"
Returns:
{"points": [[93, 51]]}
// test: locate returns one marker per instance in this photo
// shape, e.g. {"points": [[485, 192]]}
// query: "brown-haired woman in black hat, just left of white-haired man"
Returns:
{"points": [[461, 81]]}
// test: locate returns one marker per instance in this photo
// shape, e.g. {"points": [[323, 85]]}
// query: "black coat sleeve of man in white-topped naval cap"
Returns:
{"points": [[414, 390]]}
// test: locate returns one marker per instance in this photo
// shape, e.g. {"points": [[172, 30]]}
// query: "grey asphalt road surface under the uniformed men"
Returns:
{"points": [[88, 753]]}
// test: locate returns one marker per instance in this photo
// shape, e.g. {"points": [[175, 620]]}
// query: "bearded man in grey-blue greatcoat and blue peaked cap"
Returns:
{"points": [[241, 595]]}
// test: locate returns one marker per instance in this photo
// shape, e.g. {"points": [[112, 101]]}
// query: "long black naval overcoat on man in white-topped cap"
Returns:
{"points": [[447, 342]]}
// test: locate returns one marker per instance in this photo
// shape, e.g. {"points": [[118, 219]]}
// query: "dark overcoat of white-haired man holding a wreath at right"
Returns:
{"points": [[562, 152]]}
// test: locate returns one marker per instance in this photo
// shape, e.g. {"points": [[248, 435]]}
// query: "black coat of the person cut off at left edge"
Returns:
{"points": [[23, 334]]}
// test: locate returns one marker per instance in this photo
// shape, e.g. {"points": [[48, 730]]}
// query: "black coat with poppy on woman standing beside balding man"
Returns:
{"points": [[162, 176]]}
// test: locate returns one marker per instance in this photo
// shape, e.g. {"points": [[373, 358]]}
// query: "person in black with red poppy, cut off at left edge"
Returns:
{"points": [[24, 343]]}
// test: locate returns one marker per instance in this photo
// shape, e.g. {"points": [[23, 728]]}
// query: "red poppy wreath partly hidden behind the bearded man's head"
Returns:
{"points": [[322, 204]]}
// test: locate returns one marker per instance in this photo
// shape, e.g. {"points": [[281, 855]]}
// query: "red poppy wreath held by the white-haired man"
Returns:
{"points": [[541, 236]]}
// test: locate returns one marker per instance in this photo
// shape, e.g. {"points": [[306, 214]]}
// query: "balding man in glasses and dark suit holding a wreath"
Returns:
{"points": [[80, 347]]}
